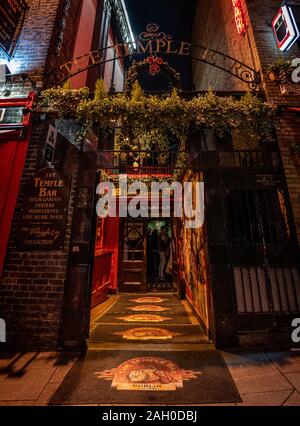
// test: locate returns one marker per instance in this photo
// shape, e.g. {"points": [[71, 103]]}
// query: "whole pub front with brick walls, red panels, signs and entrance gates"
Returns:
{"points": [[239, 270]]}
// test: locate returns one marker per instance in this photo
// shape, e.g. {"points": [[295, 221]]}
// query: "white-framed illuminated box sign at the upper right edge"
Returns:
{"points": [[285, 29]]}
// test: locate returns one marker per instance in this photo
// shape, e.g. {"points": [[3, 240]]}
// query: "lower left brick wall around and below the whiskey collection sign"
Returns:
{"points": [[32, 284]]}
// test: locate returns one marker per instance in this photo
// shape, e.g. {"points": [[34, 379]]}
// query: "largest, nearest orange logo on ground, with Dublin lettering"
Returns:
{"points": [[148, 374]]}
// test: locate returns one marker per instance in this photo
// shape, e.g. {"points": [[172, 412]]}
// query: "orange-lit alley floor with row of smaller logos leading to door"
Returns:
{"points": [[150, 318]]}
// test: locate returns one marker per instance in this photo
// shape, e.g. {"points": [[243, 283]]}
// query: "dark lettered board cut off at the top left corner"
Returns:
{"points": [[11, 12]]}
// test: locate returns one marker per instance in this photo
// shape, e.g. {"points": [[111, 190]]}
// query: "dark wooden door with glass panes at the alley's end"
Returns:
{"points": [[133, 257]]}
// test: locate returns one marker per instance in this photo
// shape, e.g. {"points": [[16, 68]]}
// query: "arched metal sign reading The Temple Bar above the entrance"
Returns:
{"points": [[155, 45]]}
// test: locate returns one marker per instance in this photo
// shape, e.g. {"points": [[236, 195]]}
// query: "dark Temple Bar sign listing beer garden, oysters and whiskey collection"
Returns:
{"points": [[44, 216]]}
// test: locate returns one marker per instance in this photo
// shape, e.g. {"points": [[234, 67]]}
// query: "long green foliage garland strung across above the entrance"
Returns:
{"points": [[167, 115]]}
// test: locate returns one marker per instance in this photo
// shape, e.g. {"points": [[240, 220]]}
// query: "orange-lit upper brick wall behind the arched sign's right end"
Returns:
{"points": [[215, 28]]}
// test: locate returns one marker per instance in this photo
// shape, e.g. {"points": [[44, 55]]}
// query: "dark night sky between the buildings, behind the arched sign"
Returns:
{"points": [[174, 17]]}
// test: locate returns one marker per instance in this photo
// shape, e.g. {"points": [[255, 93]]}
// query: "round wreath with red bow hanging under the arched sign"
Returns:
{"points": [[155, 66]]}
